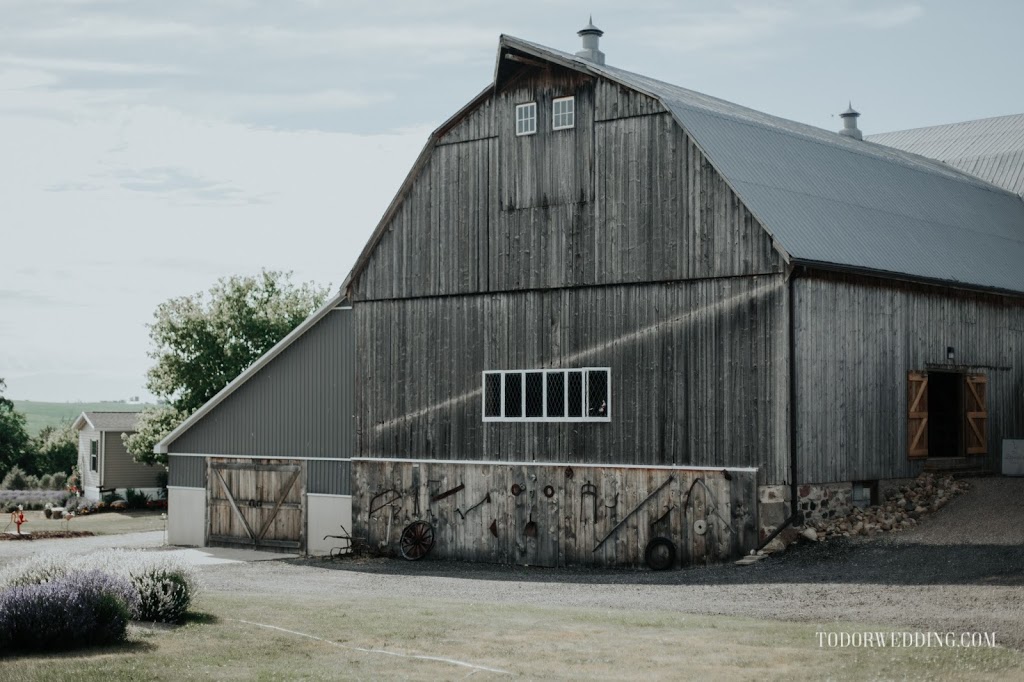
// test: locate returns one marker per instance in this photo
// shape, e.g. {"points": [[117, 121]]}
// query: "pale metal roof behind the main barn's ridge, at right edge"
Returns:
{"points": [[990, 149]]}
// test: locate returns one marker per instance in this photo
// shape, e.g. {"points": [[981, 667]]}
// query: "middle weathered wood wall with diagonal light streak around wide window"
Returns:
{"points": [[698, 374]]}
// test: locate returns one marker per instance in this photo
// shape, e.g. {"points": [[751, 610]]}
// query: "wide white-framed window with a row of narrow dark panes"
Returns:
{"points": [[582, 395]]}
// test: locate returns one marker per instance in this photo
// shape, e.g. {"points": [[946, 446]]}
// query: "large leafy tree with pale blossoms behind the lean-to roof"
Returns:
{"points": [[202, 343]]}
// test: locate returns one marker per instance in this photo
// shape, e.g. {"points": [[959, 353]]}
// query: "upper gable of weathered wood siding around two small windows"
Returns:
{"points": [[624, 197]]}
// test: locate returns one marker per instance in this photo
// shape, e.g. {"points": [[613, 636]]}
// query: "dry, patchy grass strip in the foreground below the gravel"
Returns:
{"points": [[527, 642]]}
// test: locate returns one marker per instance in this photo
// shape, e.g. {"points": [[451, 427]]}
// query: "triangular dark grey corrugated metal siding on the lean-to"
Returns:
{"points": [[301, 405]]}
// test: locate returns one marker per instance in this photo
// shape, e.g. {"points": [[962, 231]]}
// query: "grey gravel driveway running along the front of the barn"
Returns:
{"points": [[961, 571]]}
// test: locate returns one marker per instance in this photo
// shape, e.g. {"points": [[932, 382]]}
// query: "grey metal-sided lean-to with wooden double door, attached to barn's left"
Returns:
{"points": [[265, 464]]}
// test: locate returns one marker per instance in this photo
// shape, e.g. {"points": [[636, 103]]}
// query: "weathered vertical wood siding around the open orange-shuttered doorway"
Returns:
{"points": [[857, 340]]}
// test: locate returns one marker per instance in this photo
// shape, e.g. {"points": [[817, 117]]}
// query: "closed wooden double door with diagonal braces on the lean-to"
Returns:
{"points": [[257, 504]]}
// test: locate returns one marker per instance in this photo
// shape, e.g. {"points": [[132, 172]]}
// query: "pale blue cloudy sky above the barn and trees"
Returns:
{"points": [[150, 148]]}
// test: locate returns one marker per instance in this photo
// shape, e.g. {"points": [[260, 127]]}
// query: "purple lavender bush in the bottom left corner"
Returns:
{"points": [[81, 610]]}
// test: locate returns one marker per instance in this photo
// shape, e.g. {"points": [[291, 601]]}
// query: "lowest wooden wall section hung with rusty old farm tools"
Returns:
{"points": [[574, 509]]}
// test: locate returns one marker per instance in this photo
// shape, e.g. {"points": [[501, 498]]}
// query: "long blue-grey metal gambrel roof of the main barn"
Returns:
{"points": [[835, 202]]}
